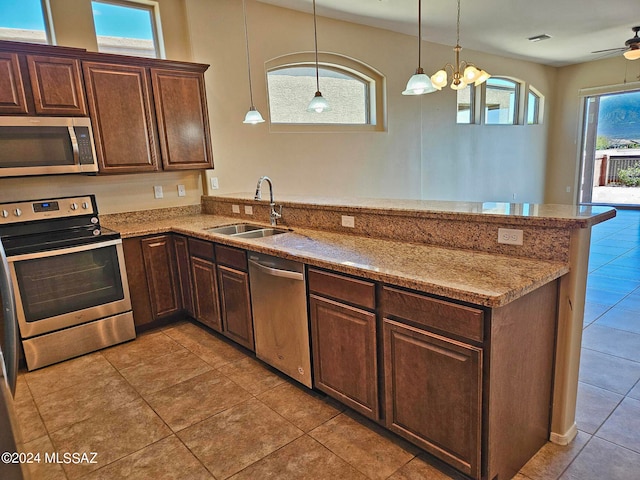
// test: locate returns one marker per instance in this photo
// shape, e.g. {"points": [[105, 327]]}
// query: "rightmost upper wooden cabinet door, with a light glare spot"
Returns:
{"points": [[183, 120]]}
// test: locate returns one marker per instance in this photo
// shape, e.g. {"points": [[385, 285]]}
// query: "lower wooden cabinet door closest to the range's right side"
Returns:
{"points": [[159, 262]]}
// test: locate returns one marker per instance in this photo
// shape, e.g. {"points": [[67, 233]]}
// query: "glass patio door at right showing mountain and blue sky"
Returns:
{"points": [[611, 149]]}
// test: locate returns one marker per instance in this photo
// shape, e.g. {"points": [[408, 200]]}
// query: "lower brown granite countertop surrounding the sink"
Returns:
{"points": [[480, 278]]}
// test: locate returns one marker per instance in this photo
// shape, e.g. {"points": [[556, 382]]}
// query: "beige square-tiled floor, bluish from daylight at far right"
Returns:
{"points": [[182, 403]]}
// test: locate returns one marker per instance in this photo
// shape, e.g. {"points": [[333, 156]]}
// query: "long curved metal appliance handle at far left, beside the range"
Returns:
{"points": [[10, 323]]}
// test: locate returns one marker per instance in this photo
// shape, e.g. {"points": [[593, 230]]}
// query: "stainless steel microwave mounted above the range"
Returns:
{"points": [[46, 145]]}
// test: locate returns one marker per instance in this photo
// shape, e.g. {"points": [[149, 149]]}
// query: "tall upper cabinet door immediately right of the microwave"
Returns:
{"points": [[122, 117]]}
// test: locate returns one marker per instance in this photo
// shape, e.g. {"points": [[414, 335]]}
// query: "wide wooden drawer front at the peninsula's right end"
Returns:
{"points": [[445, 316]]}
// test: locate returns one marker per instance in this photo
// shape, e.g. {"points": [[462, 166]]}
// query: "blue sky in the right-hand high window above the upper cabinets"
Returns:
{"points": [[122, 21]]}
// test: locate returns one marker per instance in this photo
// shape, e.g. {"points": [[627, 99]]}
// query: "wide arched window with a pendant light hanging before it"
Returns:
{"points": [[354, 92]]}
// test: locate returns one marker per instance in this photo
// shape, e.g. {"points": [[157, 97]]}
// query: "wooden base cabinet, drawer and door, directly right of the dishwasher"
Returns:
{"points": [[343, 336]]}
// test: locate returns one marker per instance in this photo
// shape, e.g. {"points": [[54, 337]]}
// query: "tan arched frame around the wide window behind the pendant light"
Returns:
{"points": [[376, 92]]}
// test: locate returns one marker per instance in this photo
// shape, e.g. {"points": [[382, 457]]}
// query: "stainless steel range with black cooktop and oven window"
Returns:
{"points": [[69, 277]]}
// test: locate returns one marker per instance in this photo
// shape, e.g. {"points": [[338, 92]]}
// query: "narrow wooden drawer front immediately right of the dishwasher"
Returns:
{"points": [[351, 290]]}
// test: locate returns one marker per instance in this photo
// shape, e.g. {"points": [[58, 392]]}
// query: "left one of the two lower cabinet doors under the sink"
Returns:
{"points": [[205, 293]]}
